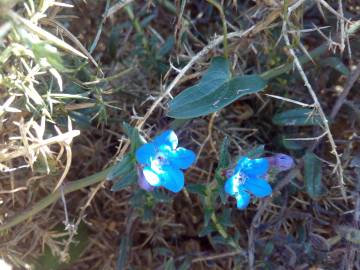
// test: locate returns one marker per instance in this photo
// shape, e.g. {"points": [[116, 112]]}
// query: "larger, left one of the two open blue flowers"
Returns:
{"points": [[162, 161]]}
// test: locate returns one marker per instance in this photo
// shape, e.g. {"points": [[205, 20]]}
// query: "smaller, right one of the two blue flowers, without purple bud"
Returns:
{"points": [[247, 179]]}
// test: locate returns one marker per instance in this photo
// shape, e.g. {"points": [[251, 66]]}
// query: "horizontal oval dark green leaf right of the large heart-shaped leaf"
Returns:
{"points": [[297, 117]]}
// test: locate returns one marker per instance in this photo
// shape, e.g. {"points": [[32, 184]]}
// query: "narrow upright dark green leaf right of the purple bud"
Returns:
{"points": [[312, 174]]}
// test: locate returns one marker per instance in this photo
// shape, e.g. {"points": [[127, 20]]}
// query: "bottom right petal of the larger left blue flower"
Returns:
{"points": [[172, 179]]}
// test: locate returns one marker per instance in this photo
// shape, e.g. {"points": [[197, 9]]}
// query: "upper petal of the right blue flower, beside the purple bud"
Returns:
{"points": [[253, 167]]}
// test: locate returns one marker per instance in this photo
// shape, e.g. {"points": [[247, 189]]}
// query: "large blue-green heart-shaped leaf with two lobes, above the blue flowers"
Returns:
{"points": [[215, 90]]}
